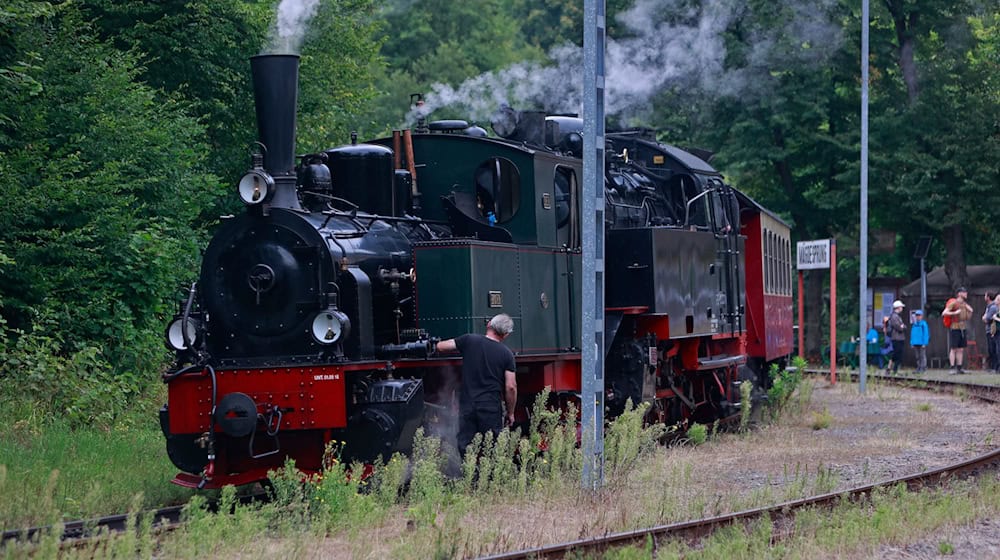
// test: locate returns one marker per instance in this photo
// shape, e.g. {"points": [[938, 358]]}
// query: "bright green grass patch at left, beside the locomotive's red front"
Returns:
{"points": [[91, 470]]}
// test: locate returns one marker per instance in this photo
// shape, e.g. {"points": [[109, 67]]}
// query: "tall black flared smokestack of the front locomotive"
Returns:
{"points": [[275, 87]]}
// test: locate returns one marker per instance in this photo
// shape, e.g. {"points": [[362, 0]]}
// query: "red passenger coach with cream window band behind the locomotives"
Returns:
{"points": [[768, 284]]}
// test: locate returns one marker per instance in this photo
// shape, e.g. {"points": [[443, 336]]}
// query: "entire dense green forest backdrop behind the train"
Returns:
{"points": [[124, 124]]}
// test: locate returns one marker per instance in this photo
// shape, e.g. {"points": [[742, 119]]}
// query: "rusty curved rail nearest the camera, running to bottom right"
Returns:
{"points": [[693, 530]]}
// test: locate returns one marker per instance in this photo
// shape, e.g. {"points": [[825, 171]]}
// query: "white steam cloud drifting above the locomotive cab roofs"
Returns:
{"points": [[686, 51]]}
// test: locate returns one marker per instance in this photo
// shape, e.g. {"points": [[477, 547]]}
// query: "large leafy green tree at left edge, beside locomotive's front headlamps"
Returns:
{"points": [[101, 177]]}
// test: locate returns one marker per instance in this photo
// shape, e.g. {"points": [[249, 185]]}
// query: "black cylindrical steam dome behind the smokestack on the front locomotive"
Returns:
{"points": [[363, 174]]}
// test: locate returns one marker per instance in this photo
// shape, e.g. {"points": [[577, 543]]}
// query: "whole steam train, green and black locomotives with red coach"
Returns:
{"points": [[315, 313]]}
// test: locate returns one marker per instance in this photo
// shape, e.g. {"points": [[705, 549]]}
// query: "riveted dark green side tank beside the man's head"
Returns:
{"points": [[462, 284]]}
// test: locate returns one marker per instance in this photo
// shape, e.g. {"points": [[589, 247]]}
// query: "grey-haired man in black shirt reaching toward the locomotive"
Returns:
{"points": [[488, 373]]}
